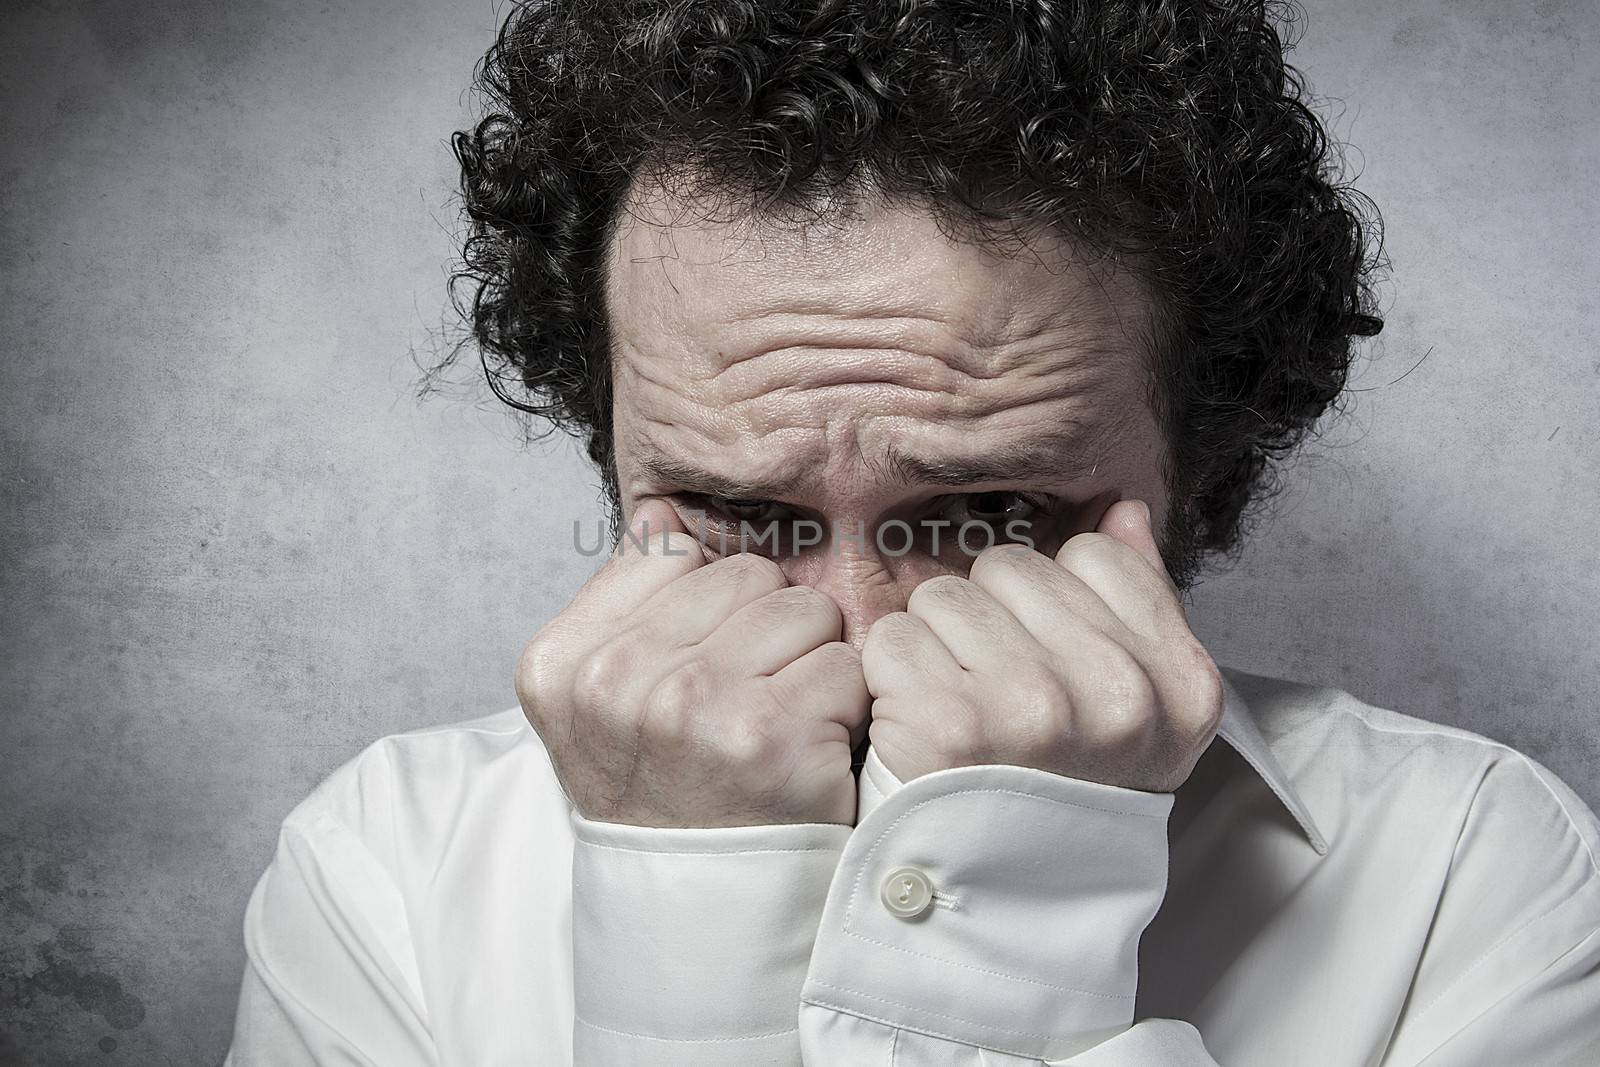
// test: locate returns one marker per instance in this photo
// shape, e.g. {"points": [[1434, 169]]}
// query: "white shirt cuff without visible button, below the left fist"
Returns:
{"points": [[692, 945]]}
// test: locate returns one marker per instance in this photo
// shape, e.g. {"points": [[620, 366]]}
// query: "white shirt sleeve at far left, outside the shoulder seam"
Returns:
{"points": [[330, 973]]}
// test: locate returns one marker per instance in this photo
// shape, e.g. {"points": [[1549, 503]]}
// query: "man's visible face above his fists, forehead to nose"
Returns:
{"points": [[870, 372]]}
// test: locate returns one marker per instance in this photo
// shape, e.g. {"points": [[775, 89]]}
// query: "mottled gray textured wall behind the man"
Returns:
{"points": [[234, 548]]}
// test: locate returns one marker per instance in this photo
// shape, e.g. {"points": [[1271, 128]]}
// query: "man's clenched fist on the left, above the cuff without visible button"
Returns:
{"points": [[681, 693]]}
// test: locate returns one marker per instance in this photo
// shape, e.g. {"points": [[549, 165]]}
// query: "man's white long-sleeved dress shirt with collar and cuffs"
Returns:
{"points": [[1337, 885]]}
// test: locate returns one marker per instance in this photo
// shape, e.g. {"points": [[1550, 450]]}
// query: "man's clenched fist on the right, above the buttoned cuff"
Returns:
{"points": [[1082, 665]]}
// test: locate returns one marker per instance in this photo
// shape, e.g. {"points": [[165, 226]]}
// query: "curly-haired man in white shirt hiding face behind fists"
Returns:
{"points": [[927, 351]]}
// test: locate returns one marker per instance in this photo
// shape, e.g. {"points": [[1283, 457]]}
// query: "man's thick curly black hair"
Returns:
{"points": [[1169, 129]]}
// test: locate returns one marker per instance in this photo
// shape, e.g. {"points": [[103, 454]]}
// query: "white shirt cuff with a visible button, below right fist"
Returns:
{"points": [[1039, 889]]}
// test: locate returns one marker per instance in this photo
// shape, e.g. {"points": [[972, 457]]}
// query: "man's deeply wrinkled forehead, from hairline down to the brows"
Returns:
{"points": [[857, 330]]}
